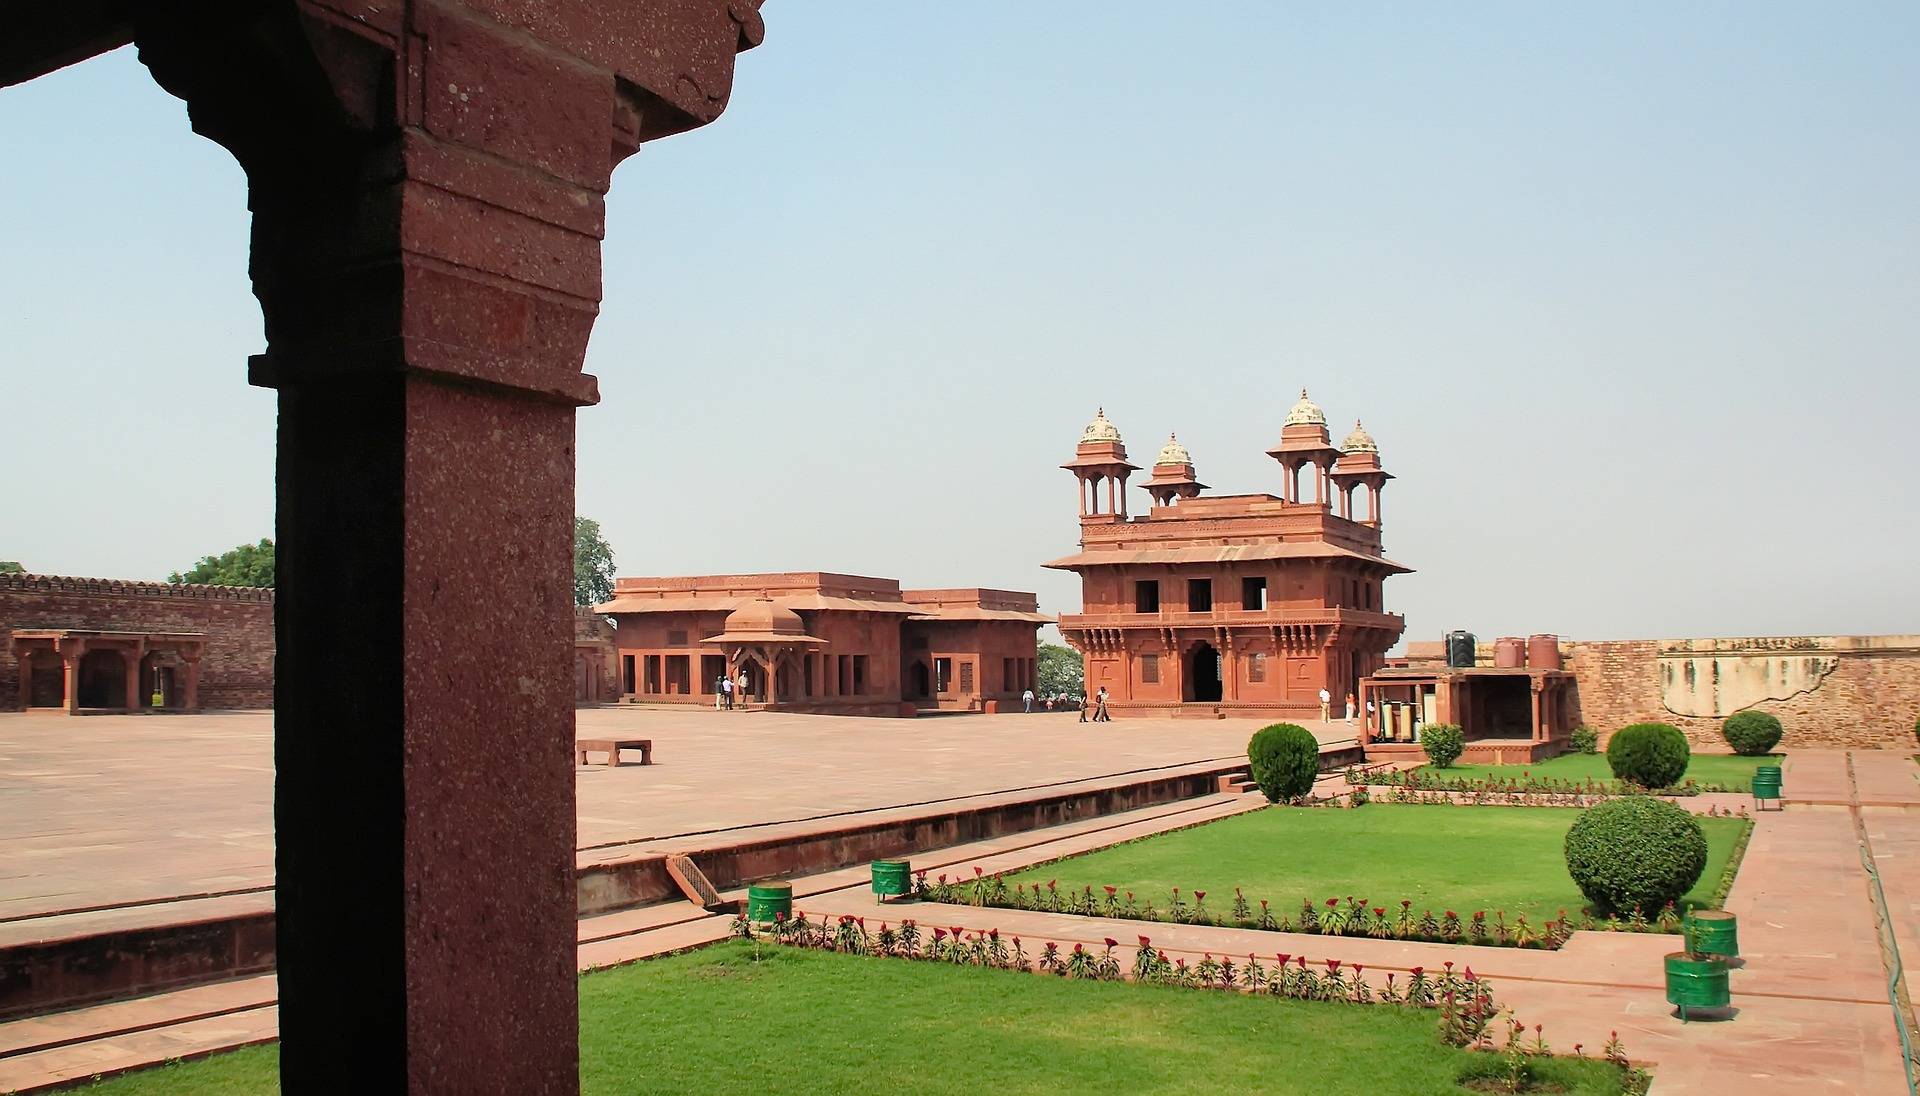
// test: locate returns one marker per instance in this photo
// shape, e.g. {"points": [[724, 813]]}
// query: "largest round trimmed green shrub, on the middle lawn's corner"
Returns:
{"points": [[1635, 853]]}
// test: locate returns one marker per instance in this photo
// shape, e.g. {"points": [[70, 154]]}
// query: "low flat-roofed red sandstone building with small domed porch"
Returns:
{"points": [[813, 642]]}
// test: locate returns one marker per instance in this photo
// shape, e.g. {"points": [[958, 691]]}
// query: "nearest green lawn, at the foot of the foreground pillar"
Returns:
{"points": [[811, 1022]]}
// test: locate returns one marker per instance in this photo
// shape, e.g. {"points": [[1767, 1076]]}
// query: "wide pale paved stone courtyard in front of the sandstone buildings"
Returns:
{"points": [[108, 811]]}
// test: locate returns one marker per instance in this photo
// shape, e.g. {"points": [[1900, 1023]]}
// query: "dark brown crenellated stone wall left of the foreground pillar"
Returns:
{"points": [[237, 671]]}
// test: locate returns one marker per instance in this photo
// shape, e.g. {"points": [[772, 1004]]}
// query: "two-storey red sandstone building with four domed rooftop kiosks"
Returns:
{"points": [[1232, 604]]}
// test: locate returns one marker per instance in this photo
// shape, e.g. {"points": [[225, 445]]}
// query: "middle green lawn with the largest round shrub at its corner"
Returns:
{"points": [[1458, 859]]}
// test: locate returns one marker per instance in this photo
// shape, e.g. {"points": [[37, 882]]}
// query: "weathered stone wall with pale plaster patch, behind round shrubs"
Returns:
{"points": [[1829, 690]]}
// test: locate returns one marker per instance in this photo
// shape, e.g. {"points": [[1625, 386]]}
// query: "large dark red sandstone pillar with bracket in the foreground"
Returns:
{"points": [[427, 185]]}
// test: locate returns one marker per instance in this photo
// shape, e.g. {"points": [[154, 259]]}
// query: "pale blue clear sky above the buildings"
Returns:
{"points": [[1629, 295]]}
